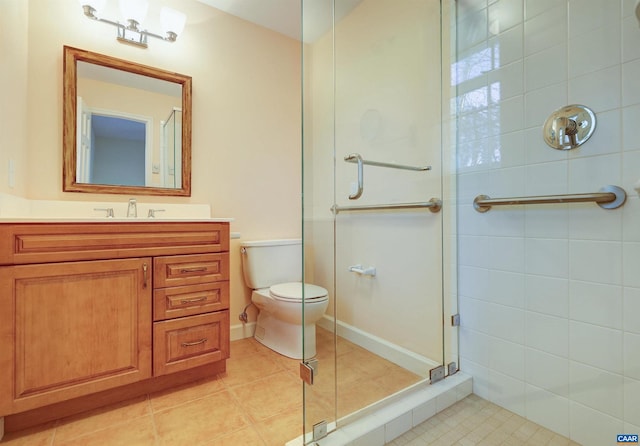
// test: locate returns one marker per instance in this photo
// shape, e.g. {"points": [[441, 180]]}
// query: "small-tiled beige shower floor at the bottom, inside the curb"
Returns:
{"points": [[474, 421]]}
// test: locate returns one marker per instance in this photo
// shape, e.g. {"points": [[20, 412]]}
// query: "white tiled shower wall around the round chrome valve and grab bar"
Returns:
{"points": [[549, 295]]}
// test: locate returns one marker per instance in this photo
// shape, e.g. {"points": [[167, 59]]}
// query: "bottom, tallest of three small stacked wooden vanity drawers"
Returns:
{"points": [[183, 343]]}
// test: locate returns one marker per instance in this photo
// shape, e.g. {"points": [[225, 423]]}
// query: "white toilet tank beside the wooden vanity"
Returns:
{"points": [[269, 262]]}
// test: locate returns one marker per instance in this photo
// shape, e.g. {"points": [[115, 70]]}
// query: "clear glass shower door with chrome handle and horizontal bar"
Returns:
{"points": [[373, 220]]}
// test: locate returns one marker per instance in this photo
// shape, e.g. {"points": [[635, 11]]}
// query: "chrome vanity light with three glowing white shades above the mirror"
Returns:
{"points": [[134, 13]]}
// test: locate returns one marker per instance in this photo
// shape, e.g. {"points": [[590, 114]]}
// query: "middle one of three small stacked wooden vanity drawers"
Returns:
{"points": [[189, 300]]}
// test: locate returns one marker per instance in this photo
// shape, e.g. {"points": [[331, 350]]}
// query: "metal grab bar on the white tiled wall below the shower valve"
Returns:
{"points": [[608, 197]]}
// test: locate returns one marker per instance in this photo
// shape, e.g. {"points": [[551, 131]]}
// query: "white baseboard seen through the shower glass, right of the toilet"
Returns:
{"points": [[406, 359]]}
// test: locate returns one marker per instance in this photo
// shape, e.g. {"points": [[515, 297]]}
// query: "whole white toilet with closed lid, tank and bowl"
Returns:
{"points": [[273, 269]]}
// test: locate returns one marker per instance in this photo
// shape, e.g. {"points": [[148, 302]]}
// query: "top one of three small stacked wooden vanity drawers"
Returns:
{"points": [[190, 269]]}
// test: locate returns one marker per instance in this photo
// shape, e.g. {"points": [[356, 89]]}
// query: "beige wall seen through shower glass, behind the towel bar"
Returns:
{"points": [[384, 101]]}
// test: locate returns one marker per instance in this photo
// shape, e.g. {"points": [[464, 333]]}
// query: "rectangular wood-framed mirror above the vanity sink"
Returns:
{"points": [[126, 127]]}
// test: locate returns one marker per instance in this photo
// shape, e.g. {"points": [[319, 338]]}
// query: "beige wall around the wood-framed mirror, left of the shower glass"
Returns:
{"points": [[246, 111]]}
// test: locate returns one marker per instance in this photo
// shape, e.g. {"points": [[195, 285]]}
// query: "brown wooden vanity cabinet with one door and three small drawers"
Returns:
{"points": [[92, 307]]}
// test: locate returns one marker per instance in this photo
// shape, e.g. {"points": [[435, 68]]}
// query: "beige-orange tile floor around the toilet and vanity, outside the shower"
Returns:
{"points": [[257, 402]]}
